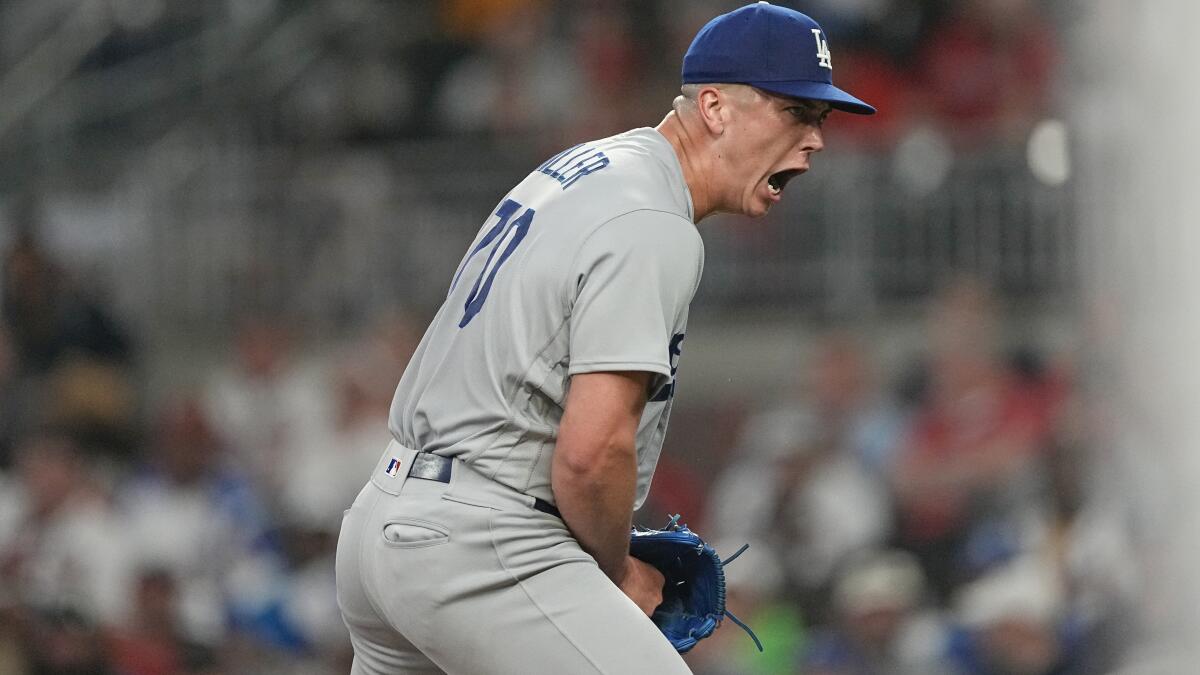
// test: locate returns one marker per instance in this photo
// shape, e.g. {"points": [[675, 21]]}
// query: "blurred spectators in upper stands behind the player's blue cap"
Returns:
{"points": [[979, 71]]}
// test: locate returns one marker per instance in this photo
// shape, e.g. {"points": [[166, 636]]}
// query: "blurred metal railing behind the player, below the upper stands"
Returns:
{"points": [[331, 240]]}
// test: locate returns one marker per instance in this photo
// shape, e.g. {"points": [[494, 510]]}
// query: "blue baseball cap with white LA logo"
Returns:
{"points": [[775, 49]]}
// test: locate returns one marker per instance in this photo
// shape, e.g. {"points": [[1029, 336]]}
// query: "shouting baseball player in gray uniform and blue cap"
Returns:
{"points": [[494, 534]]}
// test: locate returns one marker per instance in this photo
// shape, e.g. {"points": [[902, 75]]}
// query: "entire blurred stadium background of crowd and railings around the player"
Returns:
{"points": [[226, 225]]}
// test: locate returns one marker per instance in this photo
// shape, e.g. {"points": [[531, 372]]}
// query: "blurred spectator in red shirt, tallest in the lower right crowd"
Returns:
{"points": [[969, 480]]}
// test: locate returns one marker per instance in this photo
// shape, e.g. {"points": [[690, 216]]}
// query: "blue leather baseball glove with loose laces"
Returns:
{"points": [[694, 594]]}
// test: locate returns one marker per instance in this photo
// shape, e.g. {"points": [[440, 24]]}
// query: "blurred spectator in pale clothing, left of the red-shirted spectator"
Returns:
{"points": [[809, 475]]}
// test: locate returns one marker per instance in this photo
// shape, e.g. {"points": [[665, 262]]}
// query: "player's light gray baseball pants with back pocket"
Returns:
{"points": [[469, 580]]}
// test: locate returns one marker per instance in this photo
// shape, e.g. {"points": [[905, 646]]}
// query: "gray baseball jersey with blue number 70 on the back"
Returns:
{"points": [[589, 265]]}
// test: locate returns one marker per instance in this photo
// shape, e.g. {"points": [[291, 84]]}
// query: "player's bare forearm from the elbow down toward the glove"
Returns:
{"points": [[597, 505]]}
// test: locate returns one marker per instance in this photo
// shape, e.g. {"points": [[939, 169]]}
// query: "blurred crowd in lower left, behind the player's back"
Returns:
{"points": [[189, 534]]}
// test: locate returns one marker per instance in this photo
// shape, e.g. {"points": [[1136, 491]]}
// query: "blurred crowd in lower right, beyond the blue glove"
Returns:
{"points": [[956, 517]]}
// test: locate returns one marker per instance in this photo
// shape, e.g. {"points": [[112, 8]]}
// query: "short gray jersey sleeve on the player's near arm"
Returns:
{"points": [[633, 280]]}
